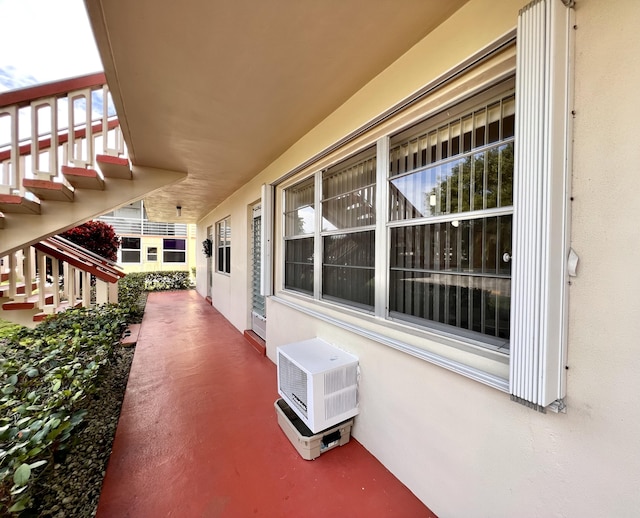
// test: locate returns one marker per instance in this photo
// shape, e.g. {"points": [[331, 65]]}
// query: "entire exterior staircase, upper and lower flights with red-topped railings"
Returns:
{"points": [[62, 162]]}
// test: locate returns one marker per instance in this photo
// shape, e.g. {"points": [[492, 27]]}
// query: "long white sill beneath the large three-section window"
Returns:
{"points": [[455, 354]]}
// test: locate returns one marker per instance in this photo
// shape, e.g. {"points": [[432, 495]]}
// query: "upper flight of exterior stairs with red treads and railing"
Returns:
{"points": [[64, 162]]}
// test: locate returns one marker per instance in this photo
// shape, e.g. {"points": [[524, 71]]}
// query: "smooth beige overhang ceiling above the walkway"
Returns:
{"points": [[221, 88]]}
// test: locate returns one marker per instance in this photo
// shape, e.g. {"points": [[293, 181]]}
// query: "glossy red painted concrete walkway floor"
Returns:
{"points": [[198, 434]]}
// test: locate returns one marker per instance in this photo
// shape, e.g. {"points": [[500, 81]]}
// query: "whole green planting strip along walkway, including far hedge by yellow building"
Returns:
{"points": [[48, 381]]}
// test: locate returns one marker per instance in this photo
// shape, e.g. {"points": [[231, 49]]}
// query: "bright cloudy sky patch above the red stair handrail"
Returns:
{"points": [[44, 40]]}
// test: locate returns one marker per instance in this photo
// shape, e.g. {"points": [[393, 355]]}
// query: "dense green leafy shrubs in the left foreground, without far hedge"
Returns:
{"points": [[45, 375]]}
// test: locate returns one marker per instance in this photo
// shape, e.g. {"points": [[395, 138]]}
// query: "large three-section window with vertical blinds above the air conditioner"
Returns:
{"points": [[447, 233]]}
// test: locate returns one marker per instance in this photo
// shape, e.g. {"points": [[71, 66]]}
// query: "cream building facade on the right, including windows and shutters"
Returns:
{"points": [[454, 230]]}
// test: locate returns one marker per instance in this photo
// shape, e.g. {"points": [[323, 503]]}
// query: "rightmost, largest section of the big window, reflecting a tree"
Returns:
{"points": [[450, 219]]}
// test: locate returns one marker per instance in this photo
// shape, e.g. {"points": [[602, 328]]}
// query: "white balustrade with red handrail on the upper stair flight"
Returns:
{"points": [[47, 126]]}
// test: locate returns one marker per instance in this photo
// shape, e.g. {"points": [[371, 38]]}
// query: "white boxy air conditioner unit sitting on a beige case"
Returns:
{"points": [[319, 382]]}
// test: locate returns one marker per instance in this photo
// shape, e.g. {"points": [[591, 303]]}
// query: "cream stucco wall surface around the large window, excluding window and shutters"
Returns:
{"points": [[463, 448]]}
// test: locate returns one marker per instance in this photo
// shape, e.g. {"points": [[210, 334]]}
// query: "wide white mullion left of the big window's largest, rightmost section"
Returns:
{"points": [[381, 232]]}
